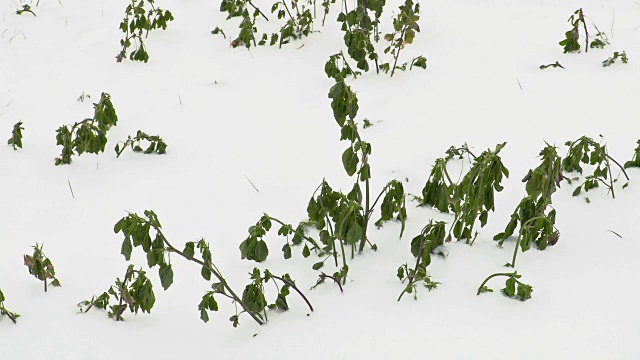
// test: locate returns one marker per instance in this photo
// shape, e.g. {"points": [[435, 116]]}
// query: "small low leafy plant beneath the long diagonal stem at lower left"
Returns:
{"points": [[134, 292]]}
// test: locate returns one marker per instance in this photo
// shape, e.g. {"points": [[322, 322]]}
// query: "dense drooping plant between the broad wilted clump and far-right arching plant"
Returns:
{"points": [[534, 213]]}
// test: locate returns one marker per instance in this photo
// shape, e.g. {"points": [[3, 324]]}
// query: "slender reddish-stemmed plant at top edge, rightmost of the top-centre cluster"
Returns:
{"points": [[405, 27]]}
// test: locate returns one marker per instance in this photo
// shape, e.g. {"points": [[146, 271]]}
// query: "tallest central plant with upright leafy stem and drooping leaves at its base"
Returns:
{"points": [[341, 219]]}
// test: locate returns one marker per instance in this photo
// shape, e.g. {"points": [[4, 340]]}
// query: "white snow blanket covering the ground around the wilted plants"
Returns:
{"points": [[231, 114]]}
